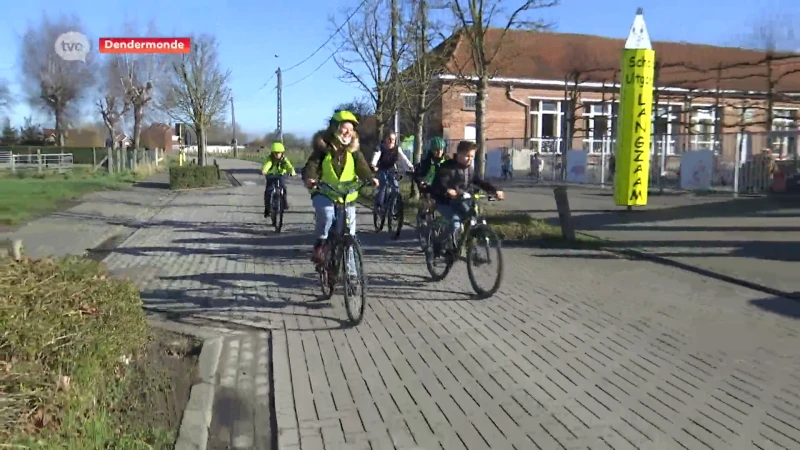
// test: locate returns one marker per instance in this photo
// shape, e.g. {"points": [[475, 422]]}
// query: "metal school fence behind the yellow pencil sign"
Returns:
{"points": [[735, 162]]}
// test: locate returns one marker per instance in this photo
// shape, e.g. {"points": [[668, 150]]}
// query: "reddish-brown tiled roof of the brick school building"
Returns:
{"points": [[535, 55]]}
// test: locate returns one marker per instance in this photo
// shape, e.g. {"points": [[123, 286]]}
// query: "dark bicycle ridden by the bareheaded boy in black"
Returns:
{"points": [[450, 247]]}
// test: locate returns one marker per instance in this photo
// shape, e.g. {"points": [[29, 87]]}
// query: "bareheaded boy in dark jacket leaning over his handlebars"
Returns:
{"points": [[452, 180]]}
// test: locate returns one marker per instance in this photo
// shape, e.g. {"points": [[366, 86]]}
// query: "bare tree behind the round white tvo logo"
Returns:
{"points": [[50, 82]]}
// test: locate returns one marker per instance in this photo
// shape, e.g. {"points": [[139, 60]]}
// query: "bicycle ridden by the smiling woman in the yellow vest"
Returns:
{"points": [[339, 246]]}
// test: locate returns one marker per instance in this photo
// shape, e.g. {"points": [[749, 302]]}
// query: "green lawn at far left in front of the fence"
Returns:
{"points": [[26, 195]]}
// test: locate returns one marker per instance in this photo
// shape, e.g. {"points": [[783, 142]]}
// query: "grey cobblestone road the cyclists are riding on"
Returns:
{"points": [[577, 350]]}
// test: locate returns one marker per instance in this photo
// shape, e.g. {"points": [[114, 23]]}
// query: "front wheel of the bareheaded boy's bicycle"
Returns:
{"points": [[484, 248]]}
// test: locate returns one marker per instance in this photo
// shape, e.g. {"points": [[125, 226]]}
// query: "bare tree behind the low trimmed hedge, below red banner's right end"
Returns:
{"points": [[197, 90]]}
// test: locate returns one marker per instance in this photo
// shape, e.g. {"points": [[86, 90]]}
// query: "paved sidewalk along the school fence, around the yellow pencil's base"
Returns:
{"points": [[752, 239]]}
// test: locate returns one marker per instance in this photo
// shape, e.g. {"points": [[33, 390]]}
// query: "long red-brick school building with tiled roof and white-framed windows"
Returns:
{"points": [[704, 94]]}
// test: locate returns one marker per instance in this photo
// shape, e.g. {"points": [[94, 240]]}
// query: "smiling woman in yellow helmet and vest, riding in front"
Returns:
{"points": [[336, 158]]}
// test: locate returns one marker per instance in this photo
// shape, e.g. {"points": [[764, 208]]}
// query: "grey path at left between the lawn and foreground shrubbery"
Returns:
{"points": [[100, 219]]}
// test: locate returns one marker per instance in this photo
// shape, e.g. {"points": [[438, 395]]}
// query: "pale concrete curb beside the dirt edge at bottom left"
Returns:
{"points": [[196, 420]]}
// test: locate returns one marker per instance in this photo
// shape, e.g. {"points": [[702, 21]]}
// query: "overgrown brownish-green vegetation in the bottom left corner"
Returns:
{"points": [[72, 342]]}
